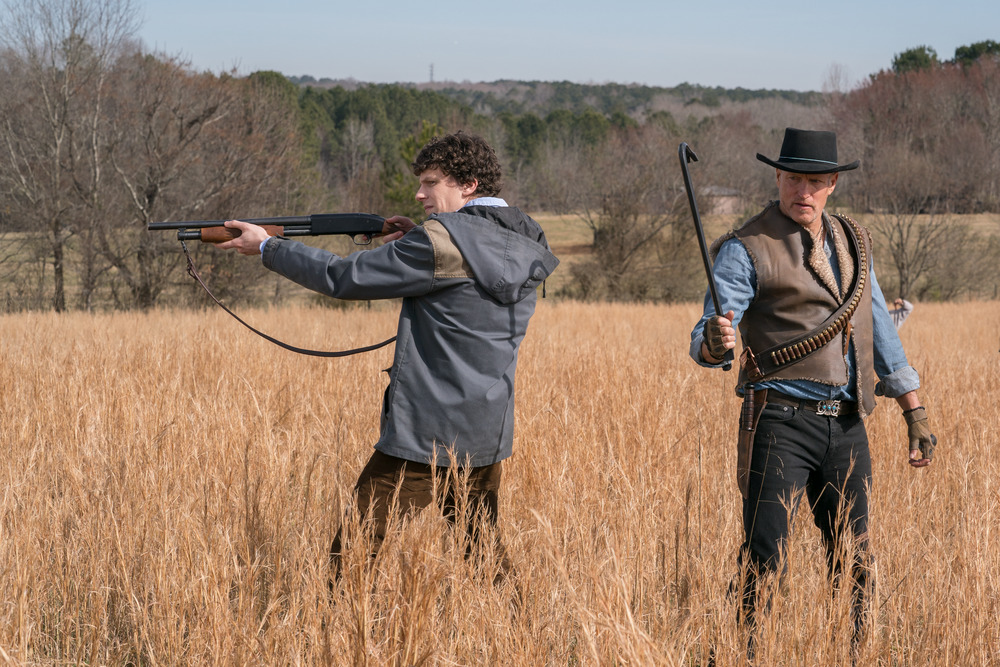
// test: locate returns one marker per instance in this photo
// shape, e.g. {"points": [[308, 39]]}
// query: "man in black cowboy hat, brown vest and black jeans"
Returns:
{"points": [[798, 283]]}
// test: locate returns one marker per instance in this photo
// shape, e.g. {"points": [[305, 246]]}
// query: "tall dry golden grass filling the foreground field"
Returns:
{"points": [[170, 485]]}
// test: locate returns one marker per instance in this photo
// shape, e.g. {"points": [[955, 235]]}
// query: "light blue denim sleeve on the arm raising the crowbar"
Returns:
{"points": [[736, 286]]}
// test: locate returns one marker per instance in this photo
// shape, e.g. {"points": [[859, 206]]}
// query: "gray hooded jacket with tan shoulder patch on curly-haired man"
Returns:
{"points": [[468, 282]]}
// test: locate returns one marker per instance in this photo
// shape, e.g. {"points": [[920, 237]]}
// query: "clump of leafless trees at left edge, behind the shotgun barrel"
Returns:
{"points": [[98, 139]]}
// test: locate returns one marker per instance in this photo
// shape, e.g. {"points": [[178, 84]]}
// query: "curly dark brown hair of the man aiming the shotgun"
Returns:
{"points": [[466, 158]]}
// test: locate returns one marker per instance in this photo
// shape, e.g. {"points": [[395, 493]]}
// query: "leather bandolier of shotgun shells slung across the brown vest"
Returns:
{"points": [[759, 366]]}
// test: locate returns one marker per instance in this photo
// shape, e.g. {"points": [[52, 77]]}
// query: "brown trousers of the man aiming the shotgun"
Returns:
{"points": [[389, 484]]}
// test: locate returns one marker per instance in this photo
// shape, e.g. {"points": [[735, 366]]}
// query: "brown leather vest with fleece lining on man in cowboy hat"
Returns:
{"points": [[797, 292]]}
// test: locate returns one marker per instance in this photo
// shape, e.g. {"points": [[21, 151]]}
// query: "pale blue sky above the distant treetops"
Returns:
{"points": [[729, 43]]}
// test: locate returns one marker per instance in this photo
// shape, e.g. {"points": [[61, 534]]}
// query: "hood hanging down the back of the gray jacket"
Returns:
{"points": [[506, 249]]}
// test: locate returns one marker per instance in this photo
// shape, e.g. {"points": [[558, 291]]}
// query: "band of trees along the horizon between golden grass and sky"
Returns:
{"points": [[101, 137]]}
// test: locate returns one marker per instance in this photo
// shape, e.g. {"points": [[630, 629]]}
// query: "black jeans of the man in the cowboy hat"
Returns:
{"points": [[797, 451]]}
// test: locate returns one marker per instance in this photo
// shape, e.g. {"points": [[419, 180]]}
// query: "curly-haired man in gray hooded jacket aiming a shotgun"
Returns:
{"points": [[467, 277]]}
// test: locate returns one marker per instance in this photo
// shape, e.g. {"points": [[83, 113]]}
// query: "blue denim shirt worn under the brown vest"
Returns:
{"points": [[736, 284]]}
